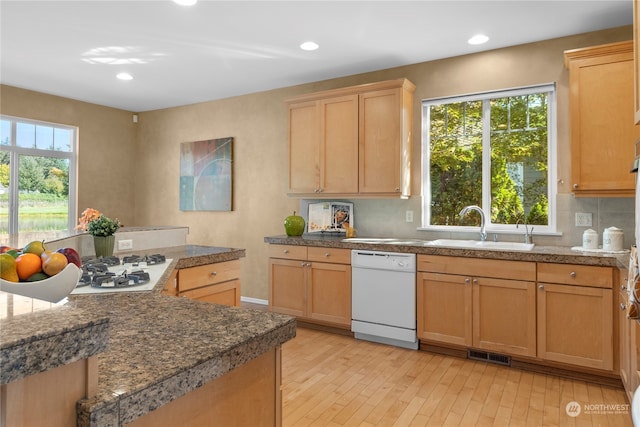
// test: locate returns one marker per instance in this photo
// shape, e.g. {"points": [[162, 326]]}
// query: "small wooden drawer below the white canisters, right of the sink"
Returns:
{"points": [[572, 274]]}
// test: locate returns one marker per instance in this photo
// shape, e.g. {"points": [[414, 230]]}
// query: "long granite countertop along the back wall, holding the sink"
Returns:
{"points": [[555, 254]]}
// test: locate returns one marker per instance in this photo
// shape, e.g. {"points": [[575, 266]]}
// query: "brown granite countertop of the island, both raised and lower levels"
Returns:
{"points": [[151, 348]]}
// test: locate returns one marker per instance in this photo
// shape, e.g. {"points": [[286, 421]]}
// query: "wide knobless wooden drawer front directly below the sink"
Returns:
{"points": [[478, 267]]}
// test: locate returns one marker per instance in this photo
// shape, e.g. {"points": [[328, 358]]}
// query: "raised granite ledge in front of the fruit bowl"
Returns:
{"points": [[36, 341]]}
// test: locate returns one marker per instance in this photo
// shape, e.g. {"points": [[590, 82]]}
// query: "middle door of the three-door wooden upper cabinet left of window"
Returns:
{"points": [[339, 145]]}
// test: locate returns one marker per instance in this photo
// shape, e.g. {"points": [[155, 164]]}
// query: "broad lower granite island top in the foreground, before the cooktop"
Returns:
{"points": [[161, 347]]}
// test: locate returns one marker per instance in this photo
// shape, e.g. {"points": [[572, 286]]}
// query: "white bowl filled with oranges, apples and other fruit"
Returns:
{"points": [[36, 272]]}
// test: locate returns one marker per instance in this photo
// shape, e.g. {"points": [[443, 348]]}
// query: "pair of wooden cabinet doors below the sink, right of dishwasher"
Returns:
{"points": [[485, 313]]}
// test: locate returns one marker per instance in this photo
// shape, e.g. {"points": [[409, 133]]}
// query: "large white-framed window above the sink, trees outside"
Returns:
{"points": [[491, 150]]}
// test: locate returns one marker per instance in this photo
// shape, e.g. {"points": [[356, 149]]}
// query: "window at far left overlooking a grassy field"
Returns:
{"points": [[37, 179]]}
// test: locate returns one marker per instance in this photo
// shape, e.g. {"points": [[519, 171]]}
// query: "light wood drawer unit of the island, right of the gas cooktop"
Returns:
{"points": [[217, 283]]}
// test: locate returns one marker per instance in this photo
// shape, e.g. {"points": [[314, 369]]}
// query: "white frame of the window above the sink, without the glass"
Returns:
{"points": [[552, 173]]}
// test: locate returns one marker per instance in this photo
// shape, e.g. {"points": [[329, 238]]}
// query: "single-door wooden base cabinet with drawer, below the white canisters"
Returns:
{"points": [[575, 315]]}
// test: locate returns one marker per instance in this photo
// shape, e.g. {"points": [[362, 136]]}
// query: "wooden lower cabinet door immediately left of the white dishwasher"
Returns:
{"points": [[329, 293]]}
